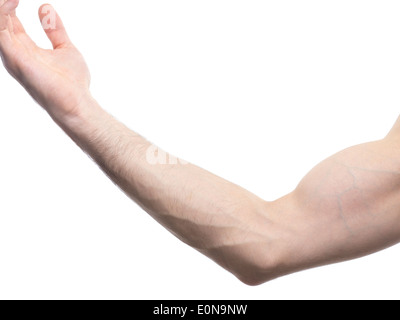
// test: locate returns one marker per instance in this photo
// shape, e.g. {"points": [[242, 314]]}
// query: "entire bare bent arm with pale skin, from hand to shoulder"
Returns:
{"points": [[347, 206]]}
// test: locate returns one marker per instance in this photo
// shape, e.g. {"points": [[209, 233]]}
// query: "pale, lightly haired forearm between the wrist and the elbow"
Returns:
{"points": [[218, 218]]}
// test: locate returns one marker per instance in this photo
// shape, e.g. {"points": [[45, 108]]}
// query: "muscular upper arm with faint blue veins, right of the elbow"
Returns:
{"points": [[346, 207]]}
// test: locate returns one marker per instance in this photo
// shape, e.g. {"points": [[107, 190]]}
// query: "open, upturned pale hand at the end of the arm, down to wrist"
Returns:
{"points": [[57, 79]]}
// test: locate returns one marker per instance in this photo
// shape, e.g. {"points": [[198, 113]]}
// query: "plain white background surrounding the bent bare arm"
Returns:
{"points": [[257, 92]]}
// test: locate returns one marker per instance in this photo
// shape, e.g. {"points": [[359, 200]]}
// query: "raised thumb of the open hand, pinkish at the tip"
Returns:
{"points": [[53, 26]]}
